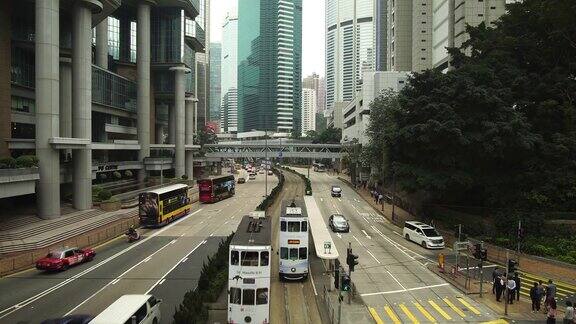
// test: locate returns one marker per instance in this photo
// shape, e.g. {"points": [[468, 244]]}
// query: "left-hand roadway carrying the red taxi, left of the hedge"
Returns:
{"points": [[166, 262]]}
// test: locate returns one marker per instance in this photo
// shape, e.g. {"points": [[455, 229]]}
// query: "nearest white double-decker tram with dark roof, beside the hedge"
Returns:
{"points": [[249, 271]]}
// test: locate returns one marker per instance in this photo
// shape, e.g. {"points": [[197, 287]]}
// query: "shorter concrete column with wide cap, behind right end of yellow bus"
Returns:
{"points": [[178, 112]]}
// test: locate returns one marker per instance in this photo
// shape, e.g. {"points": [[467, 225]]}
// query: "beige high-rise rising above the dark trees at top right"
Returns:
{"points": [[450, 18]]}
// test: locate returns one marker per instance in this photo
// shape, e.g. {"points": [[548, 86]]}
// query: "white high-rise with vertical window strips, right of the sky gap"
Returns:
{"points": [[350, 46]]}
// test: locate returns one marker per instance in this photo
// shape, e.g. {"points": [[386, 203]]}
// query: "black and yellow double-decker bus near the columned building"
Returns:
{"points": [[161, 206]]}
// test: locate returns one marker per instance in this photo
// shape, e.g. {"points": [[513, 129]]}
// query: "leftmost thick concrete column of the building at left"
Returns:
{"points": [[47, 50]]}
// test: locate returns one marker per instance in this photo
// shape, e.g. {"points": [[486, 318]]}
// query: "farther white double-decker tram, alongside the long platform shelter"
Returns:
{"points": [[293, 241]]}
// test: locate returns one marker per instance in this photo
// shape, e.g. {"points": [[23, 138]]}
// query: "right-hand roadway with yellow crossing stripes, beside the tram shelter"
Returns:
{"points": [[391, 278]]}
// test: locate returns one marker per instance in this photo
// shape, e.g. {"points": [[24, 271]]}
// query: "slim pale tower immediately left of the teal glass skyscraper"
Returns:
{"points": [[229, 83]]}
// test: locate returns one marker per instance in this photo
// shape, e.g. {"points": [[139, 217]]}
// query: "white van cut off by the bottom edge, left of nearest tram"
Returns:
{"points": [[131, 309]]}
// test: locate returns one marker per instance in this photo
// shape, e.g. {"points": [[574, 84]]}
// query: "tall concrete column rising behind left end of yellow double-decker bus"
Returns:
{"points": [[143, 75]]}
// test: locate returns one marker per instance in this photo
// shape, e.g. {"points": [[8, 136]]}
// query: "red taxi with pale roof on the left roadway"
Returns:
{"points": [[62, 259]]}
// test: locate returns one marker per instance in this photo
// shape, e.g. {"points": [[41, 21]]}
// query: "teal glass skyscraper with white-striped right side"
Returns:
{"points": [[269, 65]]}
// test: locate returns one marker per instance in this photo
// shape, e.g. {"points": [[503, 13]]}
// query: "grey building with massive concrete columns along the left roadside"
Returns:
{"points": [[93, 88]]}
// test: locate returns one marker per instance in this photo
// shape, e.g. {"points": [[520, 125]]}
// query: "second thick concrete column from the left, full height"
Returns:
{"points": [[82, 99]]}
